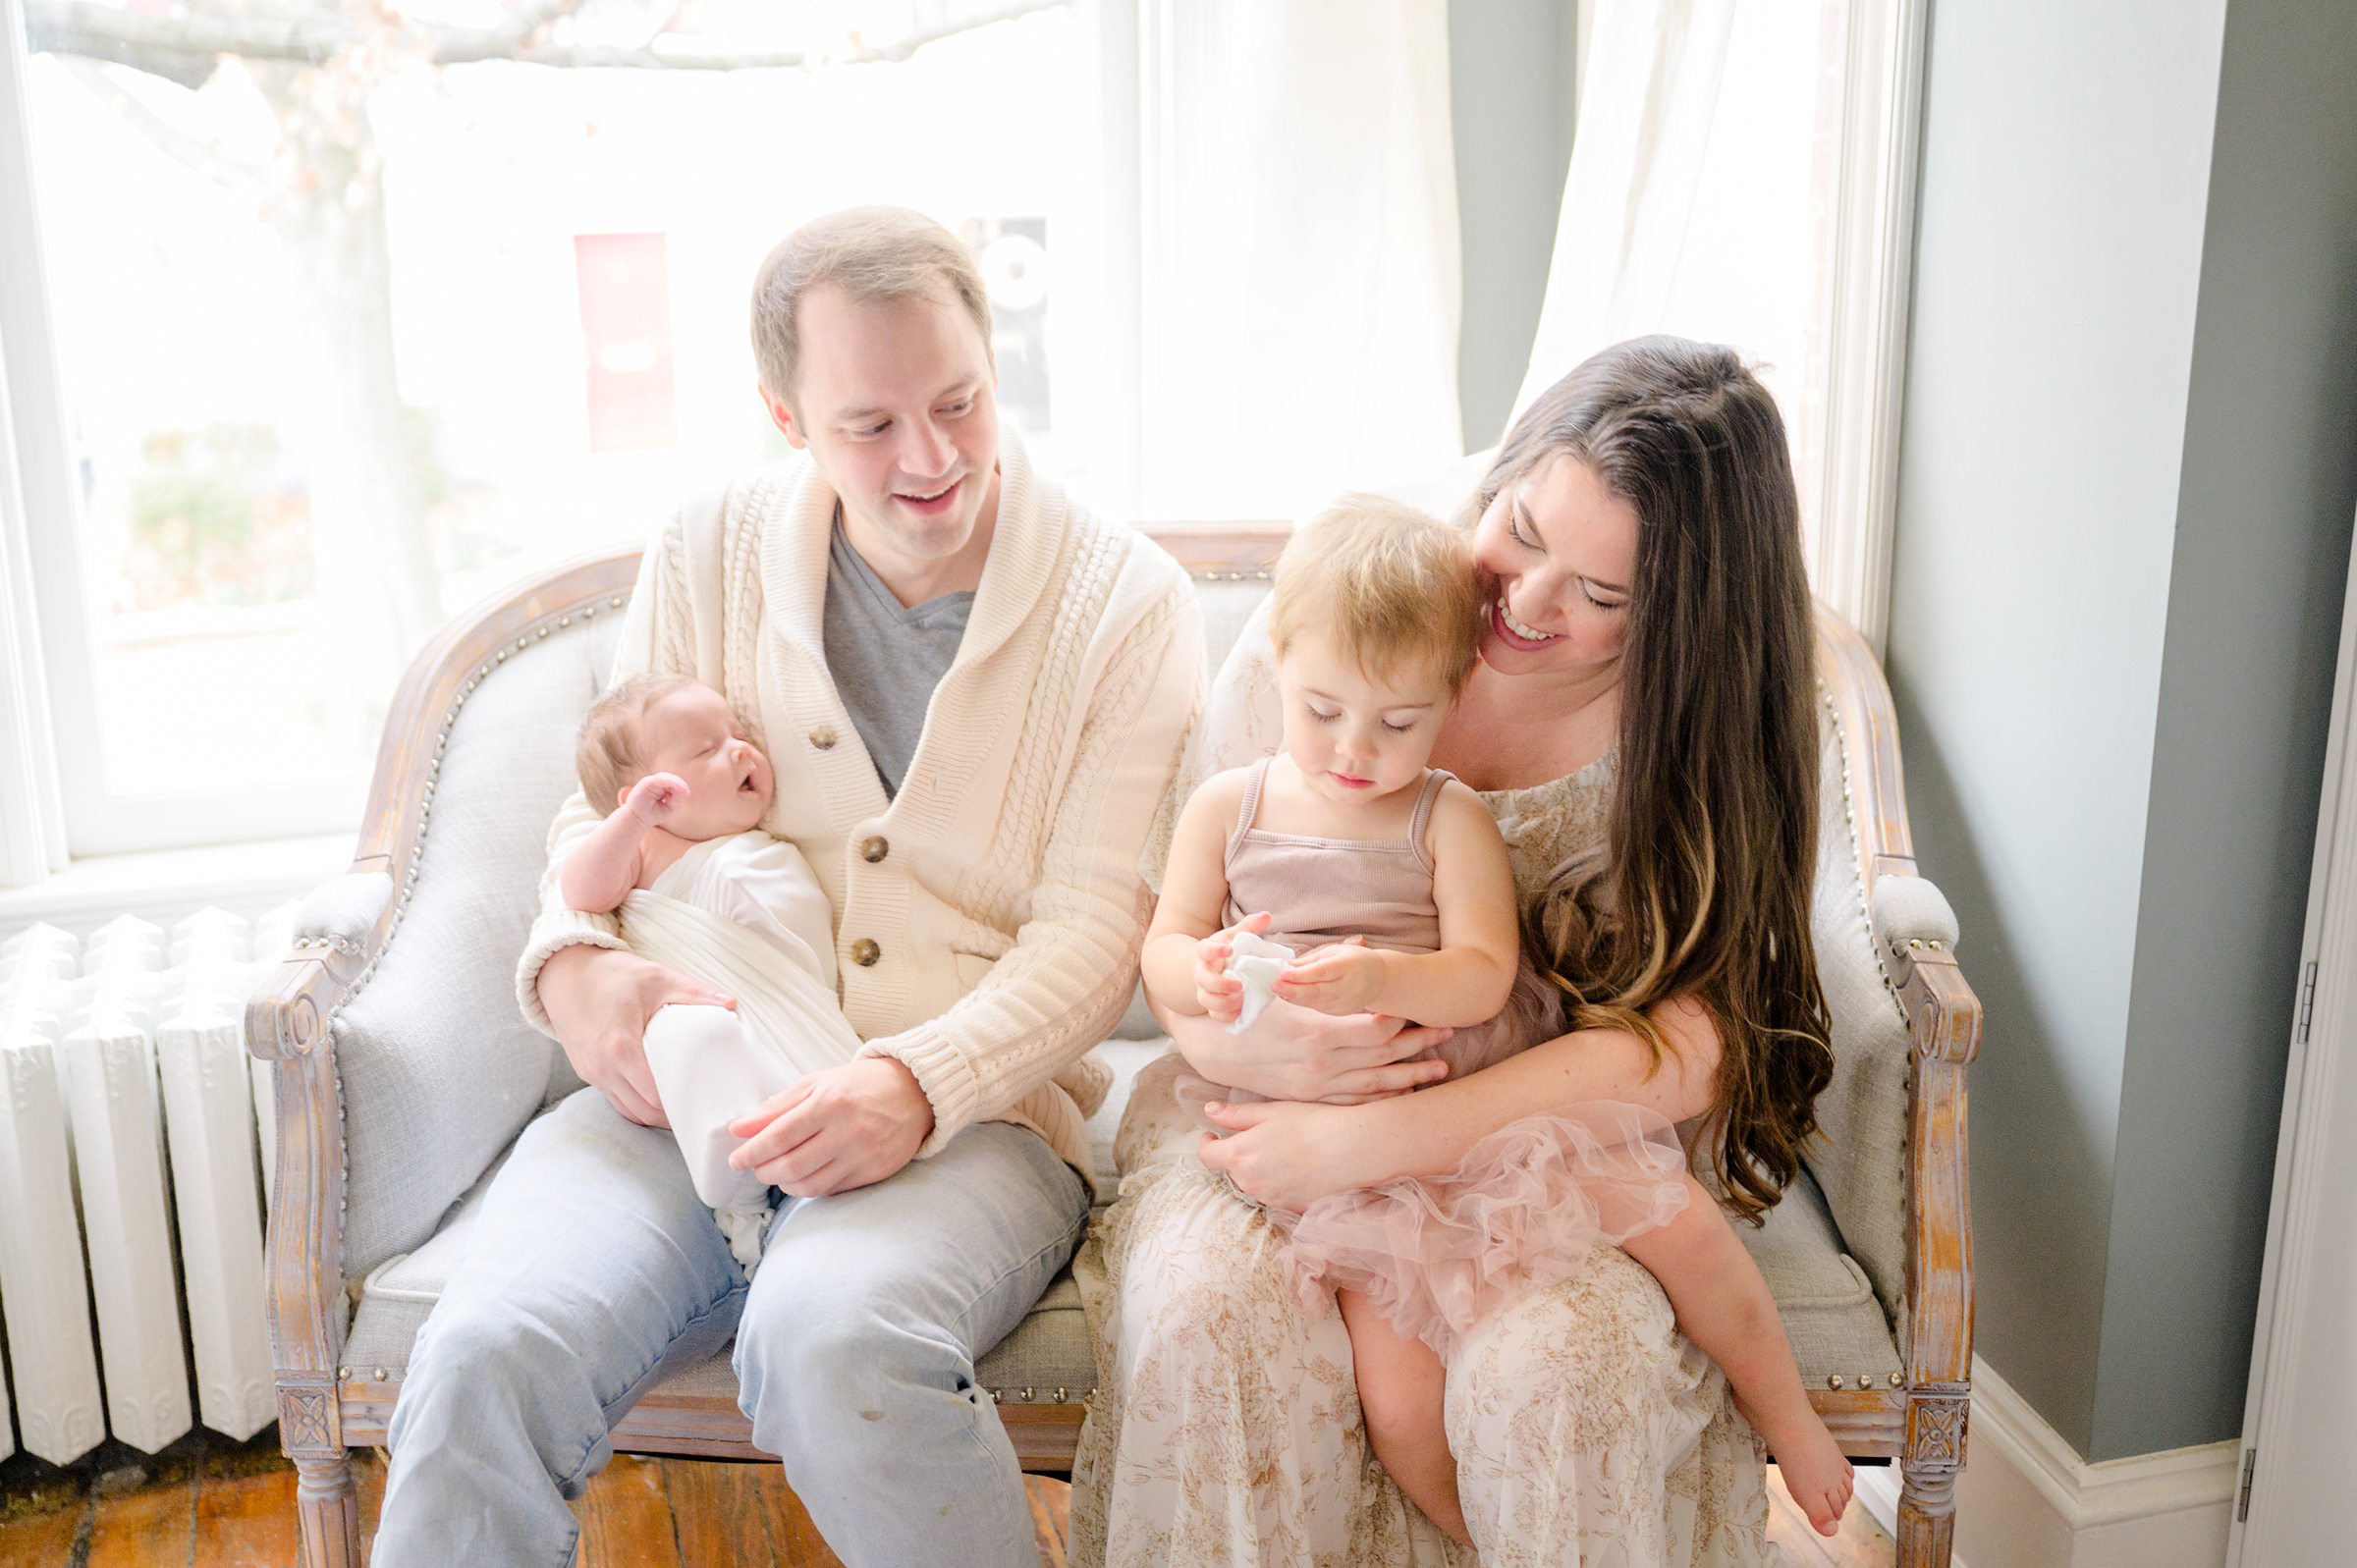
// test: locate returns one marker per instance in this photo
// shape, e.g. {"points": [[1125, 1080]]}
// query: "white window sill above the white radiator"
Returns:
{"points": [[169, 883]]}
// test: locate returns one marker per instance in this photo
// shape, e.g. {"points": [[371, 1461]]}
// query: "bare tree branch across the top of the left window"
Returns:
{"points": [[187, 48]]}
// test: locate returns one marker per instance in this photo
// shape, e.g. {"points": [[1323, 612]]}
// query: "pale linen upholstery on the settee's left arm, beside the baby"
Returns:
{"points": [[440, 1069]]}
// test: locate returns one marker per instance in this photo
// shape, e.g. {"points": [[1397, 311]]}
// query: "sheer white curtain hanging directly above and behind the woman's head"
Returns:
{"points": [[1710, 173]]}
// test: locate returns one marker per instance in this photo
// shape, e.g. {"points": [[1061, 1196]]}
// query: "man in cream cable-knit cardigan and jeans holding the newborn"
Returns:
{"points": [[975, 699]]}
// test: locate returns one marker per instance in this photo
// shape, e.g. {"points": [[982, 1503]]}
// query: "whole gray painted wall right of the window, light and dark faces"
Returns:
{"points": [[2125, 515]]}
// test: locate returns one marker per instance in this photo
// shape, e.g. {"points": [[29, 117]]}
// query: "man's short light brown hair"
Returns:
{"points": [[871, 253]]}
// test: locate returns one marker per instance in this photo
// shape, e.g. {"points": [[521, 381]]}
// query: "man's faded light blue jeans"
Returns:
{"points": [[595, 1272]]}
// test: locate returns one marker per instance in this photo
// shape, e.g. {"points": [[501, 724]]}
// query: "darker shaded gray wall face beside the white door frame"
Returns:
{"points": [[2254, 614]]}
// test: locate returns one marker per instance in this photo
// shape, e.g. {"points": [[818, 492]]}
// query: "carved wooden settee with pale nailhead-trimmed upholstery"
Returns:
{"points": [[404, 1072]]}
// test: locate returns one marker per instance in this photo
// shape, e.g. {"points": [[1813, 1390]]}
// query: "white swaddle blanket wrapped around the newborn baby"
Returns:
{"points": [[744, 916]]}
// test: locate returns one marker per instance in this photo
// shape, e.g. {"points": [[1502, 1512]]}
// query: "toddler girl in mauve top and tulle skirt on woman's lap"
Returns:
{"points": [[1392, 885]]}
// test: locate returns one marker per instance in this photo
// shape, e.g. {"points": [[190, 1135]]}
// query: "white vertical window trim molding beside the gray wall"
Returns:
{"points": [[1882, 121]]}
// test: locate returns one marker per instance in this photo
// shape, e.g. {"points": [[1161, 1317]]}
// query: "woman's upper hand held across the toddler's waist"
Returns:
{"points": [[1295, 1053]]}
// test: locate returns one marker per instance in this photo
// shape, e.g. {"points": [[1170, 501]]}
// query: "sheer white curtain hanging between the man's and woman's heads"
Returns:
{"points": [[1300, 279]]}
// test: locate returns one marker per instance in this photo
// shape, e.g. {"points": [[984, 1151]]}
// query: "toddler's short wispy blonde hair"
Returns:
{"points": [[1389, 584]]}
